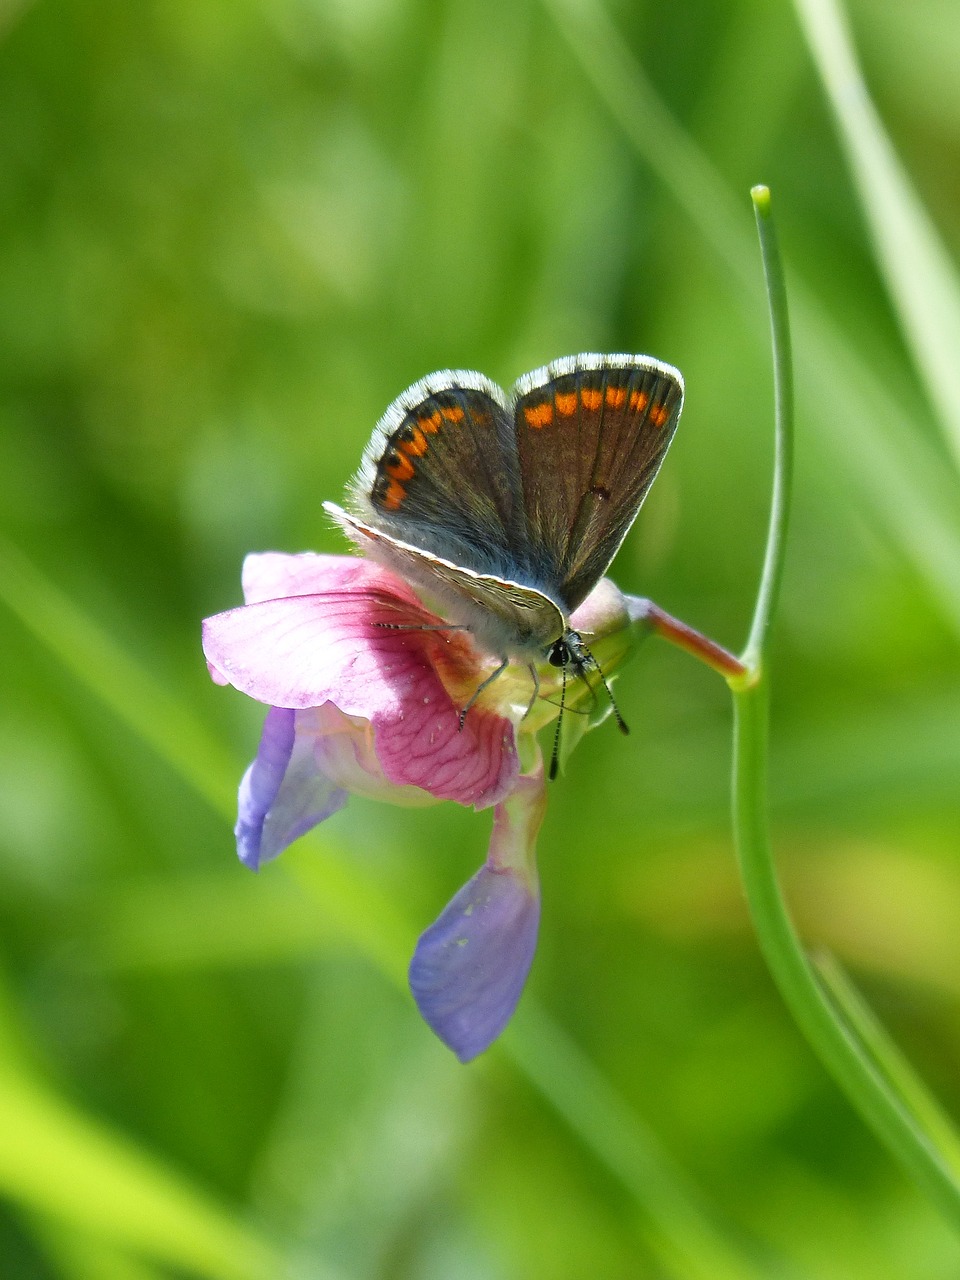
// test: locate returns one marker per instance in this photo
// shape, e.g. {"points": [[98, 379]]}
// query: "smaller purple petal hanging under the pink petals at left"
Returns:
{"points": [[284, 794]]}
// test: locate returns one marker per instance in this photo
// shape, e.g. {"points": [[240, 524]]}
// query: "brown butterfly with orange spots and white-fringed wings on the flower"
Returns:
{"points": [[508, 509]]}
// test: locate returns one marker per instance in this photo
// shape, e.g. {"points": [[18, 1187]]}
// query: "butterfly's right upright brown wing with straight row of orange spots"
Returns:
{"points": [[591, 436]]}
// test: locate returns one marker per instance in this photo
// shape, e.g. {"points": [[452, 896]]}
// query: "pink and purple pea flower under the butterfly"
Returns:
{"points": [[365, 688]]}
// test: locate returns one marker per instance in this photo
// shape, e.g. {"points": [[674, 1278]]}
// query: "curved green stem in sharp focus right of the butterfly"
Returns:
{"points": [[835, 1043]]}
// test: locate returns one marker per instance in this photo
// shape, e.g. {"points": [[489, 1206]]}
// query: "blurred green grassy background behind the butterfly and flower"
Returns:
{"points": [[231, 235]]}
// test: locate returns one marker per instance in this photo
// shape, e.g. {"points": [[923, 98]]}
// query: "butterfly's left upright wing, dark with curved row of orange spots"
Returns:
{"points": [[441, 474]]}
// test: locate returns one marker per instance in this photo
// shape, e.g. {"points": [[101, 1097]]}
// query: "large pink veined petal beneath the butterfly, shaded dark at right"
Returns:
{"points": [[335, 647]]}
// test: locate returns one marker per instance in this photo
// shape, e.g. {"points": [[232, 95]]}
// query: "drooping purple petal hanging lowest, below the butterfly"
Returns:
{"points": [[470, 967]]}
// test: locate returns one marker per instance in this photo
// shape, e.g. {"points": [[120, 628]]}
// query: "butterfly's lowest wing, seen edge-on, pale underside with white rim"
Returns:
{"points": [[505, 618]]}
